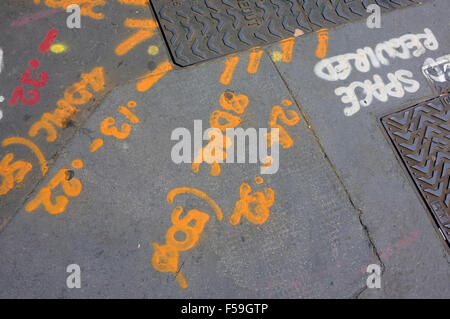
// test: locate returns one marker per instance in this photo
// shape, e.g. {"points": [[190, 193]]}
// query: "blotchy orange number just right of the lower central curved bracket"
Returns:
{"points": [[258, 202]]}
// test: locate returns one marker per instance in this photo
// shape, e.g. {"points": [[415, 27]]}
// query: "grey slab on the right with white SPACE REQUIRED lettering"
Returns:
{"points": [[416, 264]]}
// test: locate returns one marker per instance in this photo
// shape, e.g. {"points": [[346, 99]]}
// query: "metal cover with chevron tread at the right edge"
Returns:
{"points": [[421, 136]]}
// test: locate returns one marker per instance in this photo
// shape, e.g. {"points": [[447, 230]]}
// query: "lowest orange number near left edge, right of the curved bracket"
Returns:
{"points": [[71, 187]]}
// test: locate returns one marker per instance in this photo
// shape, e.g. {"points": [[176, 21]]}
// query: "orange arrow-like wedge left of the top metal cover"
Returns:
{"points": [[147, 30]]}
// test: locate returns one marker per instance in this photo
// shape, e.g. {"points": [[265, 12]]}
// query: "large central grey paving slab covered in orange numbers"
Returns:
{"points": [[312, 245]]}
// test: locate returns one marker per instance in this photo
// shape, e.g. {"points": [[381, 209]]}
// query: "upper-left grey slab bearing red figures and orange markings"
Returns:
{"points": [[24, 26]]}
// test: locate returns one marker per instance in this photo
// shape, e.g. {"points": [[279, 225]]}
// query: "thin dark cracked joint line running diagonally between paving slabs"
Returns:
{"points": [[358, 211]]}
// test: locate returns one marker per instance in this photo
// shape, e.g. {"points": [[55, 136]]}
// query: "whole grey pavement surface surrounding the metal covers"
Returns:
{"points": [[340, 200]]}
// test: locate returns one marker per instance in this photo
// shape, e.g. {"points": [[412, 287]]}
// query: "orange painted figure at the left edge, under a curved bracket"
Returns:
{"points": [[12, 173]]}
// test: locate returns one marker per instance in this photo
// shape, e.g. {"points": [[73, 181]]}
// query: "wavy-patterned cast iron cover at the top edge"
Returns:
{"points": [[199, 30]]}
